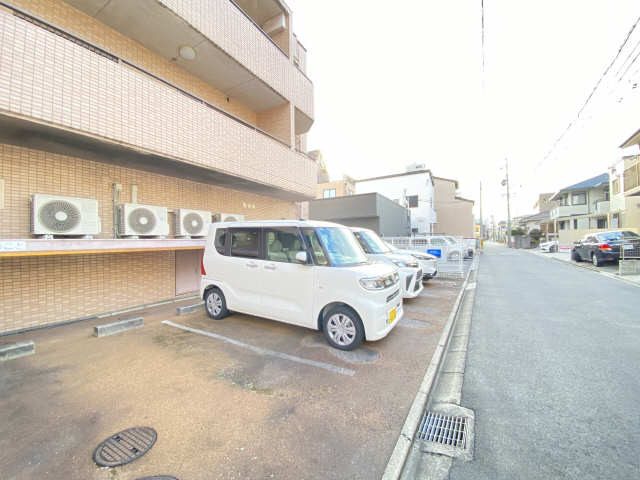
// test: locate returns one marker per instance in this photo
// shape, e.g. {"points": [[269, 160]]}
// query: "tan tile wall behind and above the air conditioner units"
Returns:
{"points": [[26, 171]]}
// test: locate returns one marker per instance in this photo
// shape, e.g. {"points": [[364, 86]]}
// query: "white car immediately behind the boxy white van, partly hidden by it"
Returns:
{"points": [[378, 251]]}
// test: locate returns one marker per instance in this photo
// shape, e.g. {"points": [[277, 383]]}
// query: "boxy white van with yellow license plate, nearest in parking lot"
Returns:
{"points": [[312, 274]]}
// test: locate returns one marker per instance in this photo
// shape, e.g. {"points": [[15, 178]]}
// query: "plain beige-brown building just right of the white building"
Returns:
{"points": [[454, 213]]}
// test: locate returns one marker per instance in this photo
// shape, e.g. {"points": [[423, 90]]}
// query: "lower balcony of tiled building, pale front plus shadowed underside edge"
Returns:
{"points": [[58, 89]]}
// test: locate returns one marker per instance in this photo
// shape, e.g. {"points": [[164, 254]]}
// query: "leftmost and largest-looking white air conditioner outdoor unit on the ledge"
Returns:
{"points": [[57, 215]]}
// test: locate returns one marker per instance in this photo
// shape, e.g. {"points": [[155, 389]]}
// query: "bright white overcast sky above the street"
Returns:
{"points": [[402, 82]]}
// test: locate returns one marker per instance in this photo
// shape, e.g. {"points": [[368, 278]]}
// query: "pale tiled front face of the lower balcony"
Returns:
{"points": [[46, 77]]}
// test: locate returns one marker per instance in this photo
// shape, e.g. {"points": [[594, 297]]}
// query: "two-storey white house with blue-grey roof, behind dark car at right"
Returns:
{"points": [[582, 208]]}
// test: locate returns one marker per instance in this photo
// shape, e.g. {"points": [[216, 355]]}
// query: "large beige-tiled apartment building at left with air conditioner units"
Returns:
{"points": [[176, 107]]}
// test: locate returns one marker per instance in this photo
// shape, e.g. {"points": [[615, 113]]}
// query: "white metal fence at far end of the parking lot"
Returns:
{"points": [[451, 257]]}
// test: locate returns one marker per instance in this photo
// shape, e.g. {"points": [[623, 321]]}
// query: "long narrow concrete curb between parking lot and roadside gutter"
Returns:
{"points": [[405, 440]]}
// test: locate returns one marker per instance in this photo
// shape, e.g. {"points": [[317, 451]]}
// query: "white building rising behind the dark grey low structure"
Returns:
{"points": [[412, 189]]}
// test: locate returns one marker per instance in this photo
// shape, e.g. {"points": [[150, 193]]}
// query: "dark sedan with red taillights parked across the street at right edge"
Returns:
{"points": [[602, 247]]}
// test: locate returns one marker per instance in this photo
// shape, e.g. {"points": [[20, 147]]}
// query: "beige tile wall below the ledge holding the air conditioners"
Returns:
{"points": [[36, 291]]}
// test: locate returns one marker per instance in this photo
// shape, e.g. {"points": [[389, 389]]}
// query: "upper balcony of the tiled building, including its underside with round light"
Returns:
{"points": [[232, 52]]}
